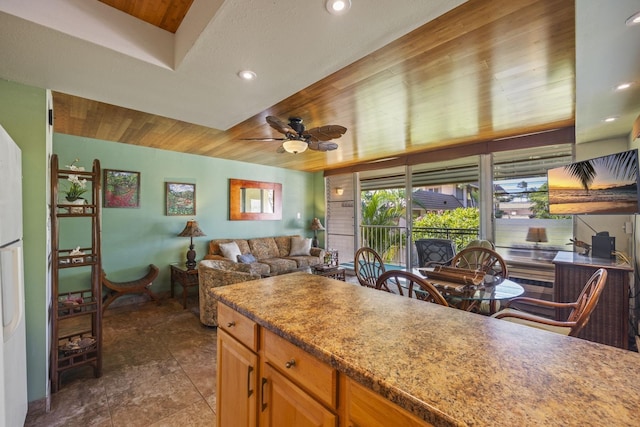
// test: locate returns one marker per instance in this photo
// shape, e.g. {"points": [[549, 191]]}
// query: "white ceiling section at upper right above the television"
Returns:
{"points": [[607, 54]]}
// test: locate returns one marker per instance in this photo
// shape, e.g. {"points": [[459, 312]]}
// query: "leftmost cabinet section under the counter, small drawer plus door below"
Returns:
{"points": [[237, 382]]}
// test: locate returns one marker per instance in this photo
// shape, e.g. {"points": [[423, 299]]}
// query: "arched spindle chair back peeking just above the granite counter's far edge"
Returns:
{"points": [[413, 286]]}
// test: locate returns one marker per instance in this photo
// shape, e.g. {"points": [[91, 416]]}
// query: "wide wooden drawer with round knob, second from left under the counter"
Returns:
{"points": [[302, 368]]}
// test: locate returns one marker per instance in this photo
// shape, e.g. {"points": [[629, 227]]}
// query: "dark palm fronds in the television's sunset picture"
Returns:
{"points": [[622, 165]]}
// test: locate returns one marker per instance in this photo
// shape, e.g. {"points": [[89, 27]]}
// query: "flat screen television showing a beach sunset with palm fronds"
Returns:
{"points": [[604, 185]]}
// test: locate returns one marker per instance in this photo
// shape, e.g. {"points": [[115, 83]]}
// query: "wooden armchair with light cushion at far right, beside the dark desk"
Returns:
{"points": [[578, 317]]}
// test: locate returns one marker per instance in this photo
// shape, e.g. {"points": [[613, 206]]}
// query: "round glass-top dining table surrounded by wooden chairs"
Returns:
{"points": [[472, 299]]}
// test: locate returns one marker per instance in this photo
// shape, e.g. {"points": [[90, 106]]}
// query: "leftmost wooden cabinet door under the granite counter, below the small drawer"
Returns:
{"points": [[236, 383]]}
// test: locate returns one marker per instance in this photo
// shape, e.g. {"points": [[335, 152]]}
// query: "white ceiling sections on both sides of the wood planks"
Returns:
{"points": [[191, 76]]}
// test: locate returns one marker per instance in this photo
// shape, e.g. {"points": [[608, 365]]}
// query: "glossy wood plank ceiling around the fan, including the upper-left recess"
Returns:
{"points": [[486, 70]]}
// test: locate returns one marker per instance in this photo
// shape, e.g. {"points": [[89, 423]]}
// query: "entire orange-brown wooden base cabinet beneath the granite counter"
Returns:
{"points": [[294, 388]]}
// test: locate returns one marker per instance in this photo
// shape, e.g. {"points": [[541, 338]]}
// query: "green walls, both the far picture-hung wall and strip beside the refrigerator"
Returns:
{"points": [[132, 238]]}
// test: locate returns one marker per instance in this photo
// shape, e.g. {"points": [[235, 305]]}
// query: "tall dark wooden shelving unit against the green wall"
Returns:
{"points": [[76, 325]]}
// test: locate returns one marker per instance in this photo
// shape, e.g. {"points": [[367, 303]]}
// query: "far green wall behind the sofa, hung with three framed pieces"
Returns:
{"points": [[133, 238]]}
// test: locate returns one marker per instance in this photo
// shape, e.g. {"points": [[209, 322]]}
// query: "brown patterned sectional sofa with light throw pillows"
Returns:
{"points": [[232, 261]]}
